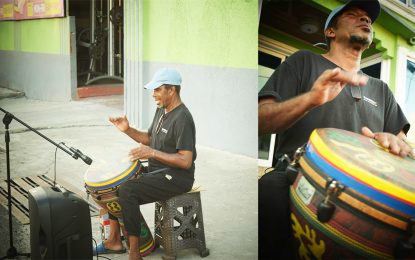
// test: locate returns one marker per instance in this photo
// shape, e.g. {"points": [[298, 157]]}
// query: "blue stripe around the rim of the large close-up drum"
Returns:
{"points": [[349, 181]]}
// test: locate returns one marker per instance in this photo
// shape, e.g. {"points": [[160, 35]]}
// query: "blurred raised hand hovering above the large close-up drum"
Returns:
{"points": [[328, 86]]}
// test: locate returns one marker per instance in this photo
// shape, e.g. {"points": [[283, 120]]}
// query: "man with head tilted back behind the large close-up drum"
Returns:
{"points": [[311, 91]]}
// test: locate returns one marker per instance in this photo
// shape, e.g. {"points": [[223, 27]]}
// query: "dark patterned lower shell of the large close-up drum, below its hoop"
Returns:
{"points": [[348, 234]]}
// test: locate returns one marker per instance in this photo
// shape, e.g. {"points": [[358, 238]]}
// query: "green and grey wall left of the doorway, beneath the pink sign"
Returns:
{"points": [[35, 58]]}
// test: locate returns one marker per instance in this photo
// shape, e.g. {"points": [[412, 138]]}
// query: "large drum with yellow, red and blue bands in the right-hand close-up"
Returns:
{"points": [[352, 199]]}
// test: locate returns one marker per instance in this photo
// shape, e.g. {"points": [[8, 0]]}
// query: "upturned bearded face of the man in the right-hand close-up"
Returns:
{"points": [[356, 26]]}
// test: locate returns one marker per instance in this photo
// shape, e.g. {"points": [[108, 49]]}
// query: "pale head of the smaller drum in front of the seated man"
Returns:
{"points": [[104, 174]]}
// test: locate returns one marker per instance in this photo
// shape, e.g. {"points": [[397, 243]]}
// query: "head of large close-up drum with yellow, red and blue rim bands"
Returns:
{"points": [[362, 164]]}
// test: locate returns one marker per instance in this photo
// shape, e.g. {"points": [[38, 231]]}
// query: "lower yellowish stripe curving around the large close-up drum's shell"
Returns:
{"points": [[334, 232]]}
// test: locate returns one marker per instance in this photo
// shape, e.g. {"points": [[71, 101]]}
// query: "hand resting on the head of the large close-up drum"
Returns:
{"points": [[395, 144]]}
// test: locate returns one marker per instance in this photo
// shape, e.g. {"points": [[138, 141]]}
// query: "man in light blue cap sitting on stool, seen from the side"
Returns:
{"points": [[168, 144]]}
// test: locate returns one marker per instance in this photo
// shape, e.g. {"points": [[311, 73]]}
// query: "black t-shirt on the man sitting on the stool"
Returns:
{"points": [[176, 132]]}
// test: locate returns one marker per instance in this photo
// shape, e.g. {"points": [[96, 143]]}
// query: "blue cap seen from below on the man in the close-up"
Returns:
{"points": [[372, 8]]}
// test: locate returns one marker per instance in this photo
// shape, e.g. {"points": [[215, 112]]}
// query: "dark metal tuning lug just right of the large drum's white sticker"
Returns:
{"points": [[326, 209]]}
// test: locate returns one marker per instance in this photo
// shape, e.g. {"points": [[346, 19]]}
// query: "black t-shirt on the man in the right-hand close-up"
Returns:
{"points": [[377, 108]]}
